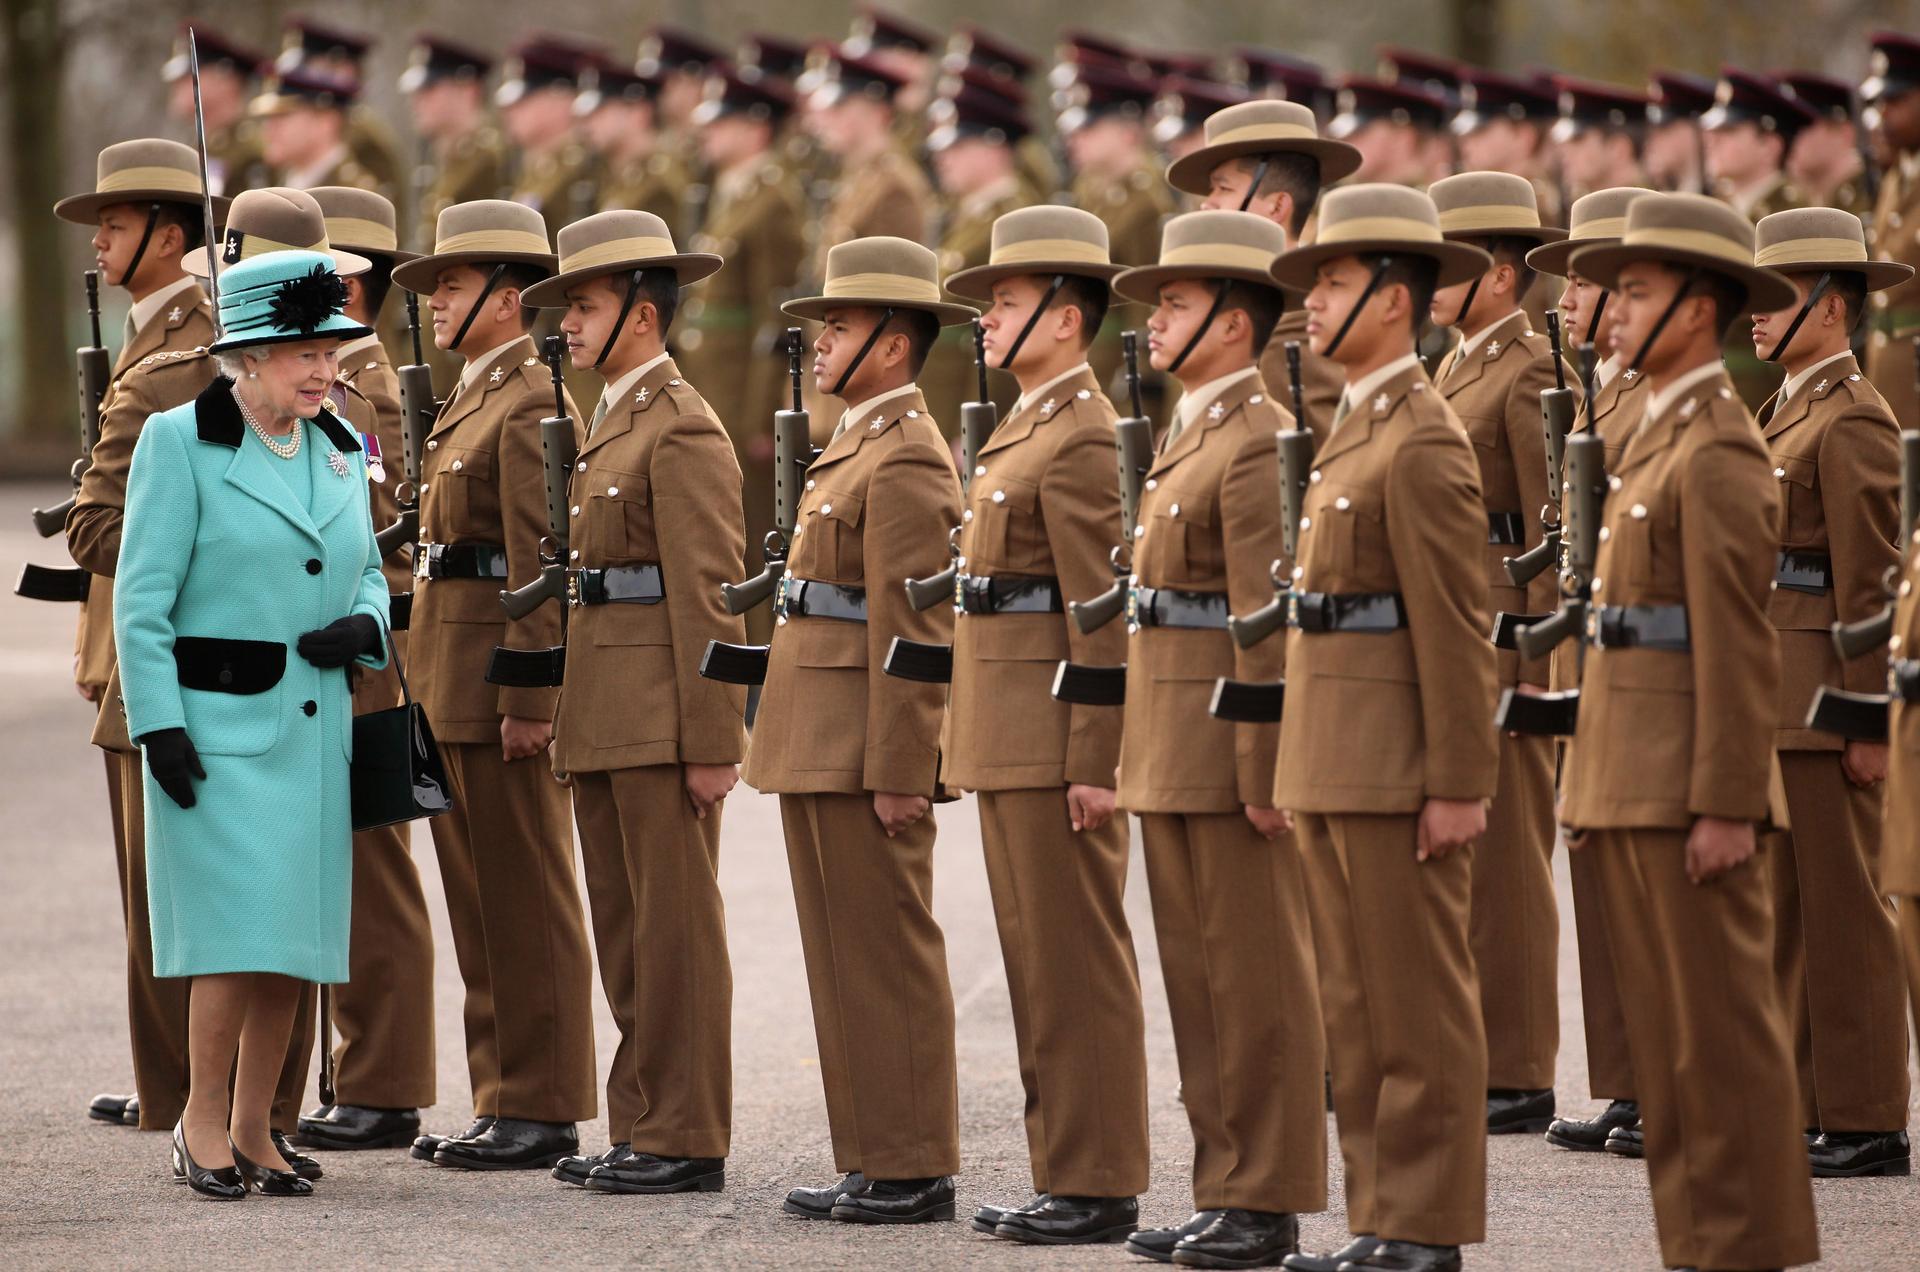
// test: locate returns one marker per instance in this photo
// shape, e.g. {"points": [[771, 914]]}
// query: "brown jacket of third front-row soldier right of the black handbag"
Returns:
{"points": [[876, 510]]}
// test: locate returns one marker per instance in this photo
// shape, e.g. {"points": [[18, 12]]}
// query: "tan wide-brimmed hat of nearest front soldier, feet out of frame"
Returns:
{"points": [[1696, 232]]}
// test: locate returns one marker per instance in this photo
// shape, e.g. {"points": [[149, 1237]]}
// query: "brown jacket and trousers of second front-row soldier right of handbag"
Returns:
{"points": [[658, 485]]}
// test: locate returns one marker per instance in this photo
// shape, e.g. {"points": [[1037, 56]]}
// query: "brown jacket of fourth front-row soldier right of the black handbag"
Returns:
{"points": [[1044, 504]]}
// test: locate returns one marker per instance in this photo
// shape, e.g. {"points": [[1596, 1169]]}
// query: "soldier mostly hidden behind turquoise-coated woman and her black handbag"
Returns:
{"points": [[385, 1012]]}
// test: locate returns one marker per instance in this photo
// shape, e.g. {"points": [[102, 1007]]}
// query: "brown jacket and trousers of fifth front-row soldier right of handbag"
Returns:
{"points": [[1230, 906]]}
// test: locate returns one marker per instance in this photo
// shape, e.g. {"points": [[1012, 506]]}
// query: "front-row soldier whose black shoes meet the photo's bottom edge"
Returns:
{"points": [[1387, 745]]}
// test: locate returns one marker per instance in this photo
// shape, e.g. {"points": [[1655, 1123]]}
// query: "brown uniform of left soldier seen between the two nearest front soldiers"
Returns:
{"points": [[1495, 391]]}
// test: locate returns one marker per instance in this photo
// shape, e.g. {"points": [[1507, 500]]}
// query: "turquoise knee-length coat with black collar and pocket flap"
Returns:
{"points": [[220, 574]]}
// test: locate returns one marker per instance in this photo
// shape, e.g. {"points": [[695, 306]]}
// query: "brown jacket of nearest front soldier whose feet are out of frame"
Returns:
{"points": [[1669, 737]]}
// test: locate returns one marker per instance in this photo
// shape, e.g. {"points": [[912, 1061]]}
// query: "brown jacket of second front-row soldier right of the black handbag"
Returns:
{"points": [[656, 485]]}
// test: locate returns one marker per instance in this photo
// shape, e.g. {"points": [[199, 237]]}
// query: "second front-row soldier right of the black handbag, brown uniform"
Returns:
{"points": [[648, 745]]}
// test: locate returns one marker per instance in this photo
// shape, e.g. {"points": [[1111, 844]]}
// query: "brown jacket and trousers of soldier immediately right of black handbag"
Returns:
{"points": [[506, 850]]}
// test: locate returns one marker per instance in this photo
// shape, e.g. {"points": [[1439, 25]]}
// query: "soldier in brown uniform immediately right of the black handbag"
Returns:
{"points": [[506, 850]]}
